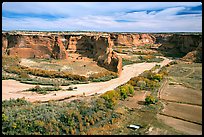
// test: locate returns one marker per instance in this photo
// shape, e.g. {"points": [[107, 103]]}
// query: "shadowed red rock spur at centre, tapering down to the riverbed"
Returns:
{"points": [[100, 48]]}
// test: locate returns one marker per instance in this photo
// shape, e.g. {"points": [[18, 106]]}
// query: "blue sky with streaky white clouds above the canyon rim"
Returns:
{"points": [[103, 16]]}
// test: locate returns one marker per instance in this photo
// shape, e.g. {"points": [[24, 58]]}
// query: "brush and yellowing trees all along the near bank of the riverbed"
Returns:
{"points": [[20, 117]]}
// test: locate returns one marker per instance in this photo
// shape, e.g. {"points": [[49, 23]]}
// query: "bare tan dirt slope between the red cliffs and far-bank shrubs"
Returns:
{"points": [[76, 64]]}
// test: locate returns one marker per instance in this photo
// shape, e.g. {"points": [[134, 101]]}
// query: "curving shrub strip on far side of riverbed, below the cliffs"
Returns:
{"points": [[21, 73]]}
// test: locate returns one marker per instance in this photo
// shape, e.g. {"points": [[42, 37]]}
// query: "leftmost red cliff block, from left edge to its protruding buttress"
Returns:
{"points": [[33, 46]]}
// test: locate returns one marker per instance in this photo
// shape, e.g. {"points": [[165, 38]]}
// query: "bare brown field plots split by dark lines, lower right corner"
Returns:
{"points": [[182, 109]]}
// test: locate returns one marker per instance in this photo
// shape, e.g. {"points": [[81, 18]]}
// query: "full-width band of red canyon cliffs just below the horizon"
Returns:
{"points": [[96, 46]]}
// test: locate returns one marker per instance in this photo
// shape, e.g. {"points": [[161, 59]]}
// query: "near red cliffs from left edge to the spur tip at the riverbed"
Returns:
{"points": [[59, 46]]}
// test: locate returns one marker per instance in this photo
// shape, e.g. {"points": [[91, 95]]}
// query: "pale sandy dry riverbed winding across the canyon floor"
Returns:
{"points": [[12, 88]]}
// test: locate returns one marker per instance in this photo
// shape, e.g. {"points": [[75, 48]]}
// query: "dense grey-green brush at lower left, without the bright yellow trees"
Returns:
{"points": [[53, 118]]}
